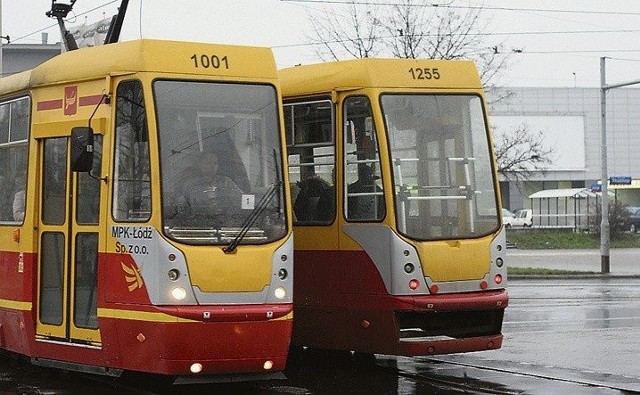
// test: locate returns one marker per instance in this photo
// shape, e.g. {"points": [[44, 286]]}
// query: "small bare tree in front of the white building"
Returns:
{"points": [[520, 151]]}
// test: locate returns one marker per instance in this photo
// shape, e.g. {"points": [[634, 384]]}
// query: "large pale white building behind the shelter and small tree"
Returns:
{"points": [[569, 120]]}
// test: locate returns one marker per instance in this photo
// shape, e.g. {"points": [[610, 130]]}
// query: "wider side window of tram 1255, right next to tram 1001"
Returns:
{"points": [[310, 129]]}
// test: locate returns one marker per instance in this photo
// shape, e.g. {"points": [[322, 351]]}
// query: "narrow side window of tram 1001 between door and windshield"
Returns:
{"points": [[132, 180]]}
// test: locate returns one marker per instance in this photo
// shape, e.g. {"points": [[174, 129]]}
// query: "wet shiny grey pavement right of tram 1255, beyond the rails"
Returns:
{"points": [[583, 330]]}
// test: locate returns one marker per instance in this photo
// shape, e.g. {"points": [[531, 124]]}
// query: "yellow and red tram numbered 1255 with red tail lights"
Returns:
{"points": [[399, 246]]}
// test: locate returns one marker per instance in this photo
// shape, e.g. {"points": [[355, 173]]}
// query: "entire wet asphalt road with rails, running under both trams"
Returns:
{"points": [[568, 335]]}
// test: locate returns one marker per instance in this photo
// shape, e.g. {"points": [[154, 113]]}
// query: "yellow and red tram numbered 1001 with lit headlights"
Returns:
{"points": [[102, 268]]}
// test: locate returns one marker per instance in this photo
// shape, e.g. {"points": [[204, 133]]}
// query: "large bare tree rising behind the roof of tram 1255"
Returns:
{"points": [[411, 29]]}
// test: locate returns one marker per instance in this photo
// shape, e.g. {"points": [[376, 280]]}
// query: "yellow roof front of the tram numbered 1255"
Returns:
{"points": [[379, 73]]}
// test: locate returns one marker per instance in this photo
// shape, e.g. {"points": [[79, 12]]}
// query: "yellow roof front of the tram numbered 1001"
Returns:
{"points": [[143, 56]]}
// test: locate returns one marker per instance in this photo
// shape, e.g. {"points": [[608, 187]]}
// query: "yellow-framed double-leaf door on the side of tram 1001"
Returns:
{"points": [[68, 245]]}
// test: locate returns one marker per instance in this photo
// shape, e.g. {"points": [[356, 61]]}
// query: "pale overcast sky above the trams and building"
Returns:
{"points": [[561, 42]]}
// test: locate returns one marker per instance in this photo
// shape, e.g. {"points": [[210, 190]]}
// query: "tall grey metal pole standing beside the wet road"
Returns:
{"points": [[604, 224]]}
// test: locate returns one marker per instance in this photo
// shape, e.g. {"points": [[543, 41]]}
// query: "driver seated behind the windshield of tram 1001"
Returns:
{"points": [[208, 197]]}
